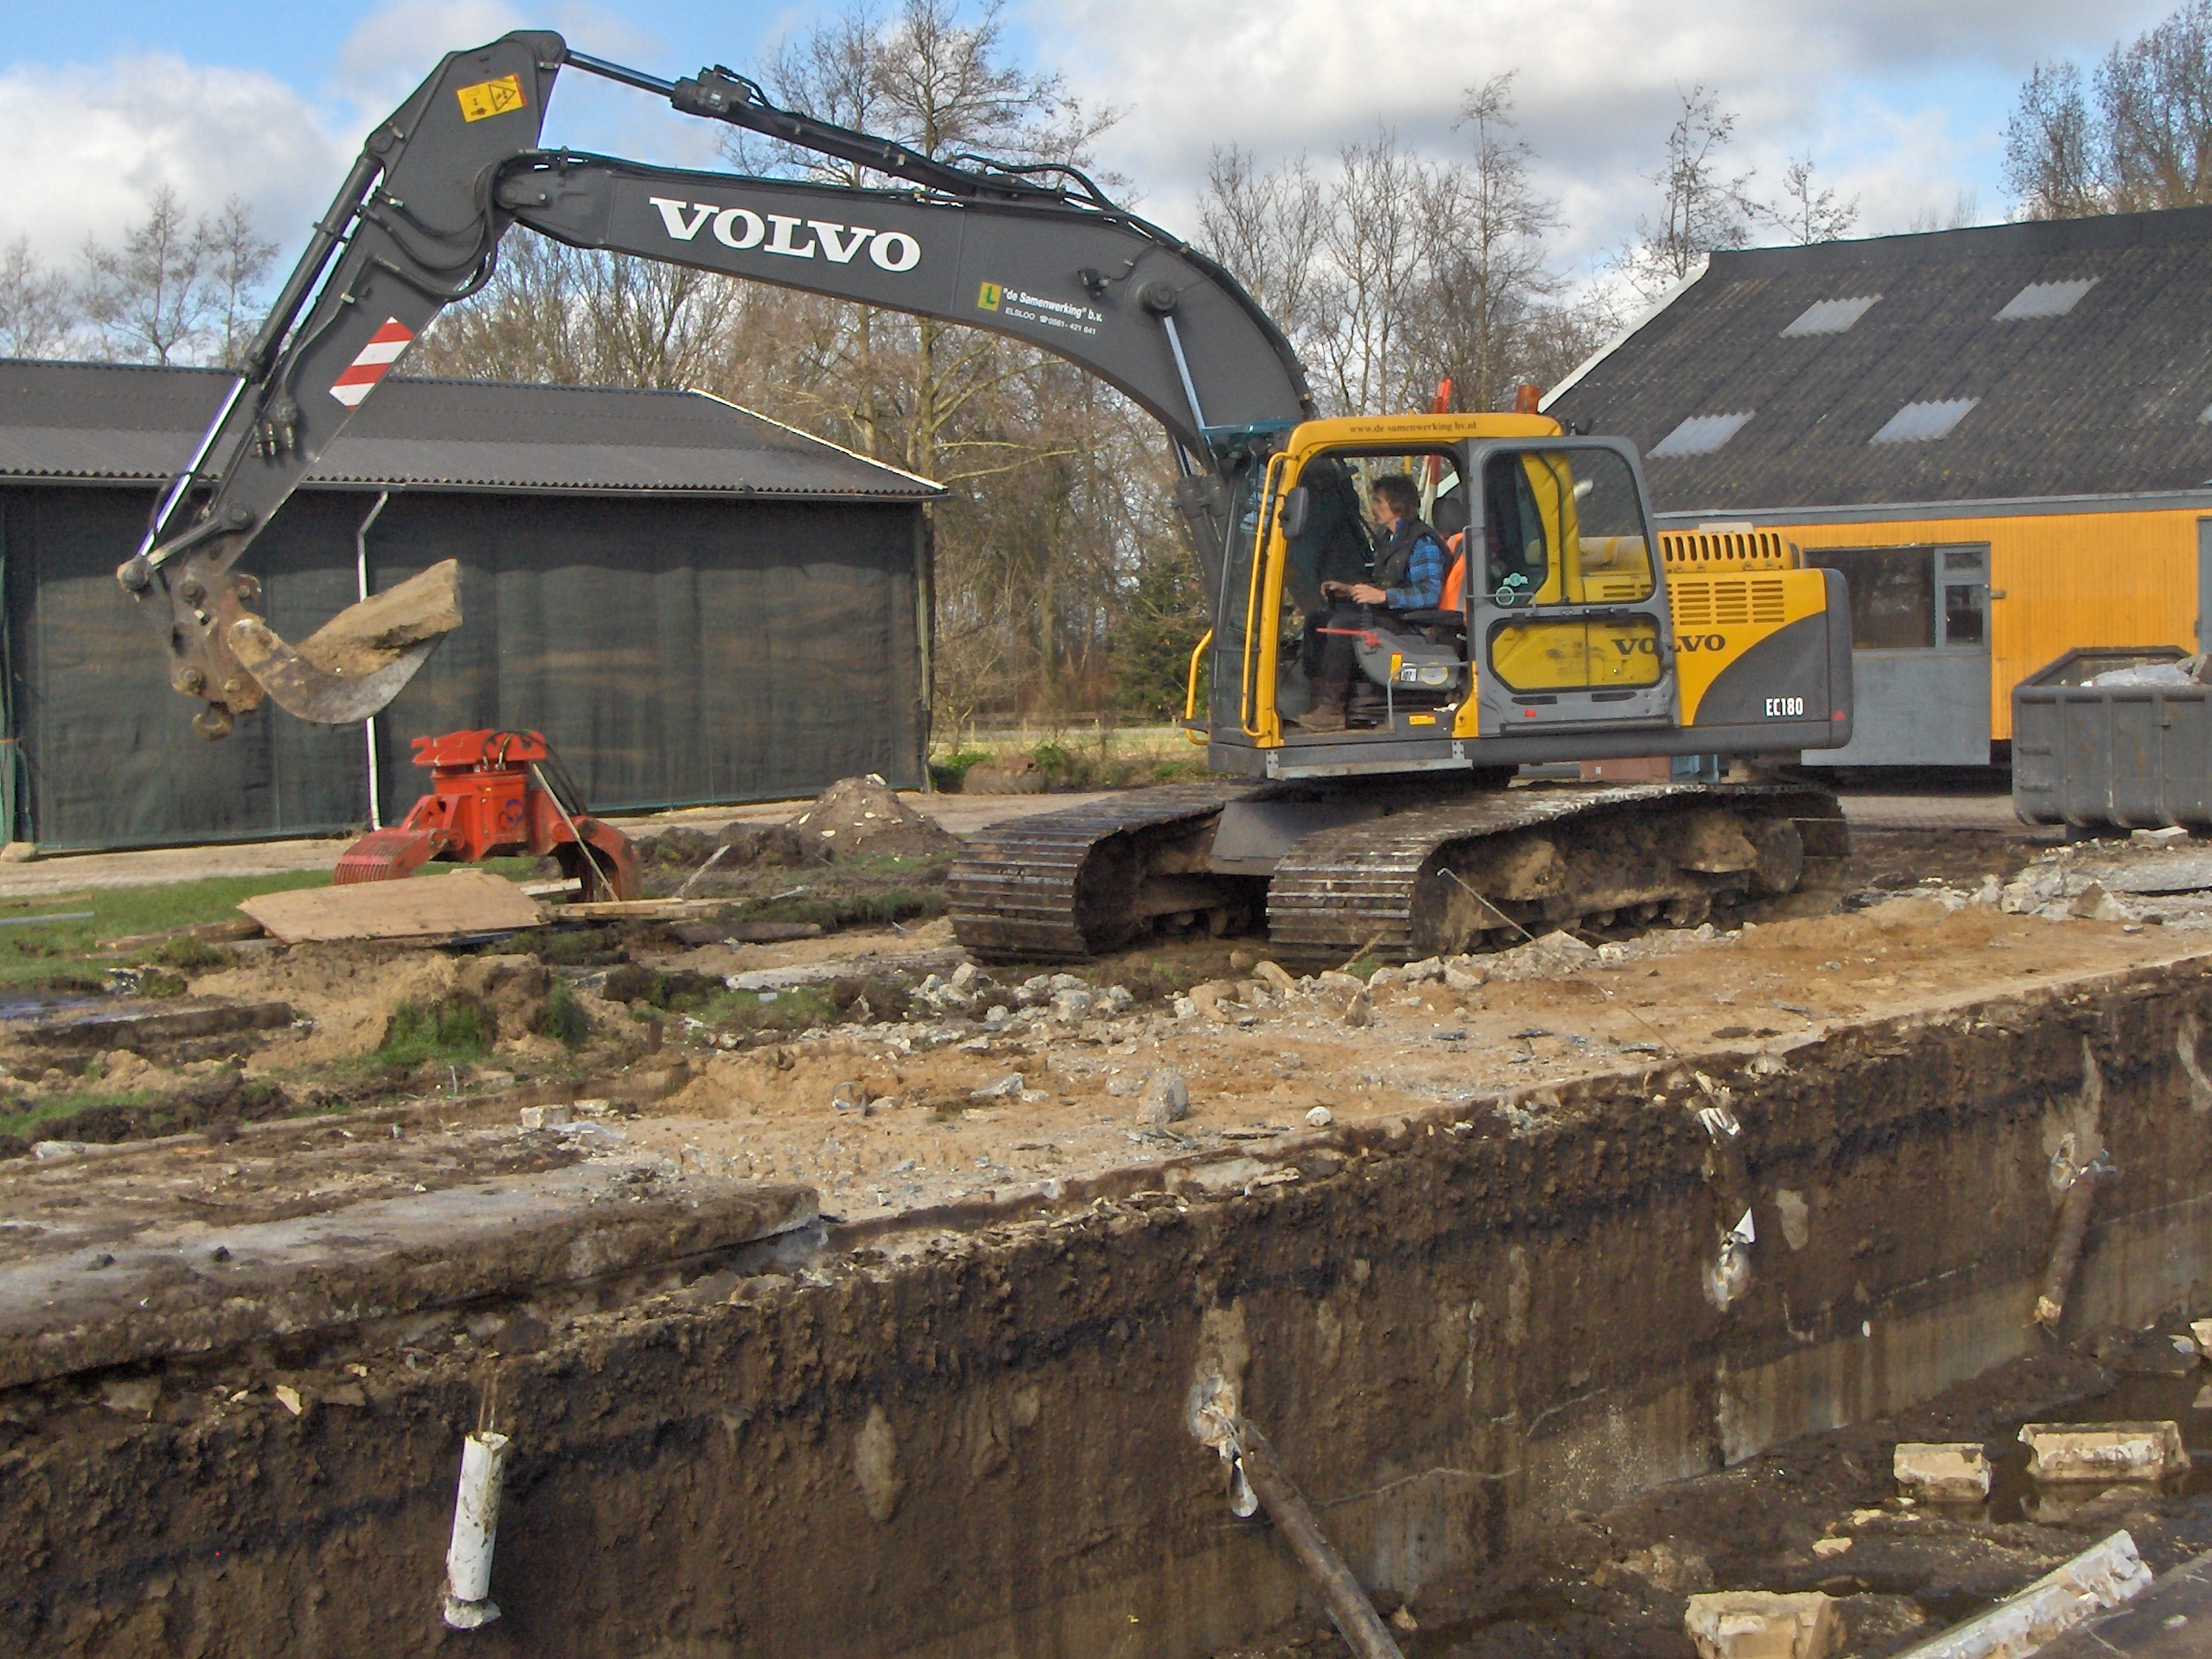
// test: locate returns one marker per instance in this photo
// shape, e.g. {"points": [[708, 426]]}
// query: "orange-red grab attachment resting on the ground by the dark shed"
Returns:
{"points": [[497, 795]]}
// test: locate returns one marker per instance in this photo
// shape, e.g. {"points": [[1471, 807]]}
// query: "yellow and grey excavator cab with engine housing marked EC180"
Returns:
{"points": [[1558, 636]]}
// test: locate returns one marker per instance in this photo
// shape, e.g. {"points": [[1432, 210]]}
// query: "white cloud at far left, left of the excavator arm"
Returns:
{"points": [[90, 145]]}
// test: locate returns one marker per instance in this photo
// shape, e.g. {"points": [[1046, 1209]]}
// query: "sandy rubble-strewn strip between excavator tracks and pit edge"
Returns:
{"points": [[1262, 1070]]}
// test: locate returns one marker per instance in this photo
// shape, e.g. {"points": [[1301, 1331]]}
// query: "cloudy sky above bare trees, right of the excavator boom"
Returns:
{"points": [[1901, 103]]}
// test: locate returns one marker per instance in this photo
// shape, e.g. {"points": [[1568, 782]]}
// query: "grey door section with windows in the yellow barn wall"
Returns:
{"points": [[1919, 656]]}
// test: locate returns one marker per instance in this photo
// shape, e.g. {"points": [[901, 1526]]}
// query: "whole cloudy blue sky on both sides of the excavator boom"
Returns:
{"points": [[1899, 103]]}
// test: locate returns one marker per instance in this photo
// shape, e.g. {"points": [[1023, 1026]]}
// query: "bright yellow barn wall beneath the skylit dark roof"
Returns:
{"points": [[2067, 581]]}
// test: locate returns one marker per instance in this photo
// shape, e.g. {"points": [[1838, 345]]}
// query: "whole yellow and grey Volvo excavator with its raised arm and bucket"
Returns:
{"points": [[1565, 632]]}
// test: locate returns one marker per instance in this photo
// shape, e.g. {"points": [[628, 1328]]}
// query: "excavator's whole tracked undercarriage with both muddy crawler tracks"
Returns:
{"points": [[1426, 870]]}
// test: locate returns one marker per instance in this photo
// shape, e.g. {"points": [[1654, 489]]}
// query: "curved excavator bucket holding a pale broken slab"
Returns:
{"points": [[362, 658]]}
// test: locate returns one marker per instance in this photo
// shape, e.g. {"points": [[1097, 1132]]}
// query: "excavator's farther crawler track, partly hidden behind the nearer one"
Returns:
{"points": [[1065, 886]]}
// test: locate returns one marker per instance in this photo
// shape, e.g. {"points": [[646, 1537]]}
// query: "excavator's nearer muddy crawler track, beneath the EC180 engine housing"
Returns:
{"points": [[1490, 870]]}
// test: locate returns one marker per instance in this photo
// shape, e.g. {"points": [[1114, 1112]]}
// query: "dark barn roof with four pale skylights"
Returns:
{"points": [[2010, 362]]}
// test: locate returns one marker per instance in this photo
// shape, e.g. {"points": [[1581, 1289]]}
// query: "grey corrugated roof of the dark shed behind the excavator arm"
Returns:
{"points": [[127, 424]]}
